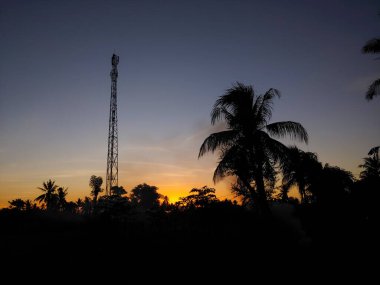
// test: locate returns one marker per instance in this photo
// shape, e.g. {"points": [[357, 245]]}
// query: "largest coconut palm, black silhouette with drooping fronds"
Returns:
{"points": [[248, 148]]}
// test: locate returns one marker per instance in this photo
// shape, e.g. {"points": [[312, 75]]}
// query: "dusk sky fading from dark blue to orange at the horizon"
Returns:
{"points": [[176, 59]]}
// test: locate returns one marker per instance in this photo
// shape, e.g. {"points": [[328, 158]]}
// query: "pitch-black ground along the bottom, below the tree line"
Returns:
{"points": [[213, 242]]}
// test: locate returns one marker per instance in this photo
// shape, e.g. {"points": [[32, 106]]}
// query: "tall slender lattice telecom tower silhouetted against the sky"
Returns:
{"points": [[112, 157]]}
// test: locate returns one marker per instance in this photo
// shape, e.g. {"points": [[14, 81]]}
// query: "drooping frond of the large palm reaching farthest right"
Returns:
{"points": [[288, 128]]}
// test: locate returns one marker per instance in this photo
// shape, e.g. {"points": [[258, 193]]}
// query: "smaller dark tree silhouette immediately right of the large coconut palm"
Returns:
{"points": [[300, 171]]}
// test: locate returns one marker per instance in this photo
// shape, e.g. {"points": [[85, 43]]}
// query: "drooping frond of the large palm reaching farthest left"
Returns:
{"points": [[217, 140]]}
